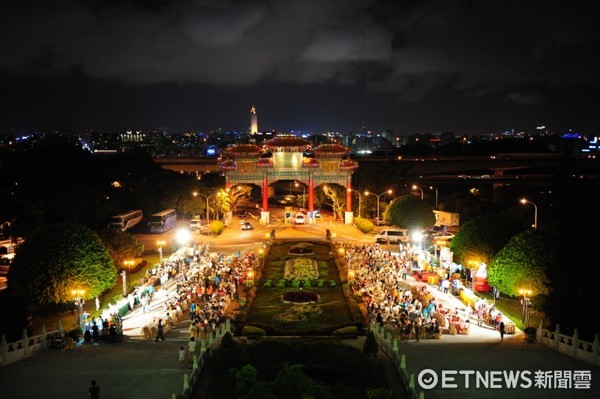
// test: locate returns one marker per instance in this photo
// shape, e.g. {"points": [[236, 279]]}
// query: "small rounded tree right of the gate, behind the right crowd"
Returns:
{"points": [[410, 212]]}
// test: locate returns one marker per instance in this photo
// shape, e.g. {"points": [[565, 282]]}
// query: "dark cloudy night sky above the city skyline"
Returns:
{"points": [[469, 67]]}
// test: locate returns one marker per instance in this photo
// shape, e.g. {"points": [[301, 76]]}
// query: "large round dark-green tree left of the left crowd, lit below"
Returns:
{"points": [[55, 259]]}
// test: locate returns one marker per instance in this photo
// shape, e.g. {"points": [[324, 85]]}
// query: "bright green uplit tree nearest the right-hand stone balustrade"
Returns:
{"points": [[522, 264]]}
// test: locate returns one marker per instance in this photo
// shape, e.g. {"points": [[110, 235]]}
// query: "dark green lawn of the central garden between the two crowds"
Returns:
{"points": [[269, 310]]}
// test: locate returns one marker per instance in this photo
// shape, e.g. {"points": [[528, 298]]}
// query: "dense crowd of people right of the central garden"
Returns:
{"points": [[409, 310]]}
